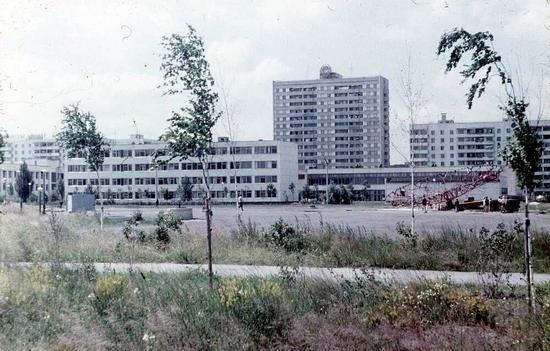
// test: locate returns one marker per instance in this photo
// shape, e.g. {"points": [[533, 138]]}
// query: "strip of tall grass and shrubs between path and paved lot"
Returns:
{"points": [[29, 237]]}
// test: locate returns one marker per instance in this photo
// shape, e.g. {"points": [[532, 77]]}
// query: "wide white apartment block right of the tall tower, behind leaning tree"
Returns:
{"points": [[447, 143]]}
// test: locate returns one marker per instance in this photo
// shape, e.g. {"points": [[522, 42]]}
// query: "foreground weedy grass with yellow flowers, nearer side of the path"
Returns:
{"points": [[83, 310]]}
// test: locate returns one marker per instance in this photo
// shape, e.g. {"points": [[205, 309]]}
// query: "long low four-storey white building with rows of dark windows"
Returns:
{"points": [[249, 168]]}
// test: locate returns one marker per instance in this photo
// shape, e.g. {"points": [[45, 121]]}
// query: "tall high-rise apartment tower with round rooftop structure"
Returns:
{"points": [[336, 122]]}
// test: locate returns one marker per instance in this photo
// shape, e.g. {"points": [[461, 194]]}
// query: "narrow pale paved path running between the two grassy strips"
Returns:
{"points": [[337, 274]]}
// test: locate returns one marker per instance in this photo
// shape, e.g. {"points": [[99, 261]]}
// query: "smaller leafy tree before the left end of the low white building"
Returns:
{"points": [[79, 137]]}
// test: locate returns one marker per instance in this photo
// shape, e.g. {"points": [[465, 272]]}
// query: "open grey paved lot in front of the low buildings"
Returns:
{"points": [[377, 219]]}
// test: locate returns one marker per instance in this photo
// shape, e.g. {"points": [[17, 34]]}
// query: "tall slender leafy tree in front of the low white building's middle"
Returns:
{"points": [[189, 134]]}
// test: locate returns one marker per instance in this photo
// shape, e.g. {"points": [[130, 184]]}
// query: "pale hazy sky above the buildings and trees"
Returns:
{"points": [[106, 56]]}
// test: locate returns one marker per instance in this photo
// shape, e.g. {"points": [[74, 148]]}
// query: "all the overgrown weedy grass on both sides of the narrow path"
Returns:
{"points": [[54, 308]]}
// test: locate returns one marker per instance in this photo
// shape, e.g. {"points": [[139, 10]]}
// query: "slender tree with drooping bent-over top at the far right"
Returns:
{"points": [[523, 152]]}
